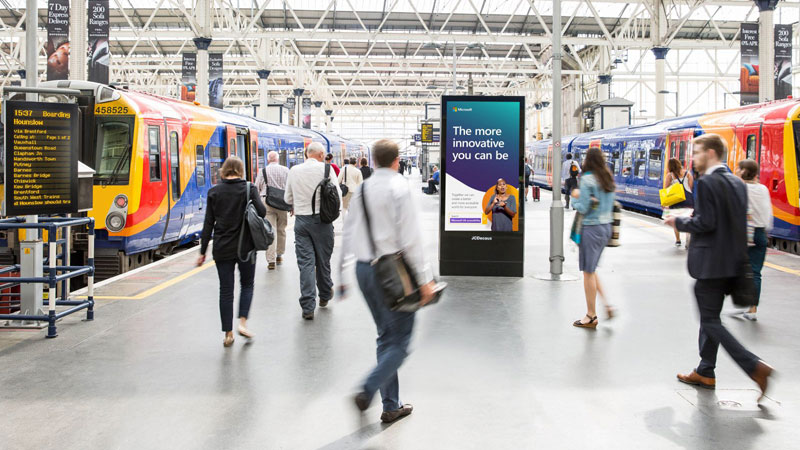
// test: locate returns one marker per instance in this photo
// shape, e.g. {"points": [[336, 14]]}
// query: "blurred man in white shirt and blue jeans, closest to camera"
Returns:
{"points": [[393, 227]]}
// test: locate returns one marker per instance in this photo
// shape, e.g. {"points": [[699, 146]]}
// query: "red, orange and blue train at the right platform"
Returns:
{"points": [[637, 156]]}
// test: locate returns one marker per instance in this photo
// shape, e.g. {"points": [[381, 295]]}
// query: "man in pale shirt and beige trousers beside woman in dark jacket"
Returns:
{"points": [[276, 176]]}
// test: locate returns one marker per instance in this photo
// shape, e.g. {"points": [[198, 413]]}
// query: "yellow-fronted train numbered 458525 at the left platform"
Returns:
{"points": [[155, 158]]}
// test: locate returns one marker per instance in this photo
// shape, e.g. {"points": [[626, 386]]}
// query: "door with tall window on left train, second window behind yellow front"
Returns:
{"points": [[176, 209]]}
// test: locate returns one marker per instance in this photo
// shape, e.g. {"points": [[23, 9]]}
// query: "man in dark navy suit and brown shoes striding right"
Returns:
{"points": [[719, 243]]}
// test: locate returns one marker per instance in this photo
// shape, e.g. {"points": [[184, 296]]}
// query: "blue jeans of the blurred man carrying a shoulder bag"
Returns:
{"points": [[394, 335]]}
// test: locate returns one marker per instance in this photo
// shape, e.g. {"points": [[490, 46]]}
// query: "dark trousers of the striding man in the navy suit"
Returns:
{"points": [[710, 294]]}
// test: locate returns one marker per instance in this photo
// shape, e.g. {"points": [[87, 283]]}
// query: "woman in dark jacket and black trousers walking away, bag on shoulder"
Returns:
{"points": [[224, 213]]}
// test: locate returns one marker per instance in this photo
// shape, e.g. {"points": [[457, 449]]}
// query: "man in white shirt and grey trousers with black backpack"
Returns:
{"points": [[313, 240]]}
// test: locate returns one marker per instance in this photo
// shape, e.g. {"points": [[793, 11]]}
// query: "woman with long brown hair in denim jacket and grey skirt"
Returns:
{"points": [[594, 198]]}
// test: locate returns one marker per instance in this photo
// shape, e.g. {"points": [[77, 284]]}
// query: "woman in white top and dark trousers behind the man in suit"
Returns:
{"points": [[759, 223]]}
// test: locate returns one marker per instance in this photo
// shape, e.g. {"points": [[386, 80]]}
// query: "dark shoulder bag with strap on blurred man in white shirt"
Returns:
{"points": [[395, 276]]}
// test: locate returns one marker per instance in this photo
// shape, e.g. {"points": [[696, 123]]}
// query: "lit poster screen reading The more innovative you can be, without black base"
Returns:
{"points": [[481, 142]]}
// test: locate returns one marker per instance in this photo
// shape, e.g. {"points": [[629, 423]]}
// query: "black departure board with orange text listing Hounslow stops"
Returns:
{"points": [[41, 163]]}
